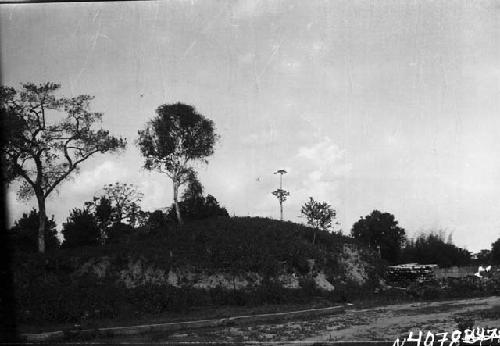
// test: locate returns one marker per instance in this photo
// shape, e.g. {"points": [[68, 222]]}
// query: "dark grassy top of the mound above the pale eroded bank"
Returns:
{"points": [[235, 244]]}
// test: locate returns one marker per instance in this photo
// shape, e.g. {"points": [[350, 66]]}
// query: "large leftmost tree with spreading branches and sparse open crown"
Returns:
{"points": [[42, 147]]}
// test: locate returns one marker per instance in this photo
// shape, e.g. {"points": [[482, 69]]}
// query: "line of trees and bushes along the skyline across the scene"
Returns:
{"points": [[46, 138]]}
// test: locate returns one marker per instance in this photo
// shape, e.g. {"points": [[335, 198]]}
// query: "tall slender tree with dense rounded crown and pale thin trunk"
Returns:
{"points": [[173, 140]]}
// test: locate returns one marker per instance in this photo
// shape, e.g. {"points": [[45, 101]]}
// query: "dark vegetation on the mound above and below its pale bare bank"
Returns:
{"points": [[48, 289]]}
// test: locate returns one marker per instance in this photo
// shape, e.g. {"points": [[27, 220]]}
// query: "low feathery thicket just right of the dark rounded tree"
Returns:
{"points": [[432, 249]]}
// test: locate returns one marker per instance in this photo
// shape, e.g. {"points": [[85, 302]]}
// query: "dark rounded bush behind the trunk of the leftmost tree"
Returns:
{"points": [[24, 234]]}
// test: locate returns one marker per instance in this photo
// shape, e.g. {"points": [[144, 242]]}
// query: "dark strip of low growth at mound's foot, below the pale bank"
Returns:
{"points": [[86, 300]]}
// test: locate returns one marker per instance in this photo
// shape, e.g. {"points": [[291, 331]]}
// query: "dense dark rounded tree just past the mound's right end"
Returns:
{"points": [[380, 231]]}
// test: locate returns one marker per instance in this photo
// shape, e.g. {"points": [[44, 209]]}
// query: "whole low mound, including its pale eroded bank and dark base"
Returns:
{"points": [[221, 261]]}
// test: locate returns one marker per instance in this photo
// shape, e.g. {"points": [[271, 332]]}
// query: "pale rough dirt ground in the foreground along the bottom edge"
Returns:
{"points": [[380, 323]]}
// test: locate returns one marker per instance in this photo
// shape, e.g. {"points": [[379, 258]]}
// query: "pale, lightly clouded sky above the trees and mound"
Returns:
{"points": [[387, 105]]}
